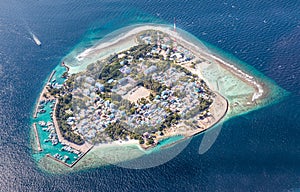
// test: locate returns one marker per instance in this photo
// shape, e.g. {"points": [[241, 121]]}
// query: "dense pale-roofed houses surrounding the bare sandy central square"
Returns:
{"points": [[93, 115]]}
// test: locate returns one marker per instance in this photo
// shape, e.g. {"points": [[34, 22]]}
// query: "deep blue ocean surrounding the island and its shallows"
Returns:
{"points": [[259, 151]]}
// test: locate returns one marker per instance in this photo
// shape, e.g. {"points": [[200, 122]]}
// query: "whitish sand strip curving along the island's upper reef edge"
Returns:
{"points": [[129, 36]]}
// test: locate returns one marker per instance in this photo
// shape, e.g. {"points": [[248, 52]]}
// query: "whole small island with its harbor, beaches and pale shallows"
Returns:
{"points": [[148, 84]]}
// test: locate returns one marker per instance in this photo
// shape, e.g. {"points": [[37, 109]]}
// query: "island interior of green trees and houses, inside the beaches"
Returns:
{"points": [[129, 95]]}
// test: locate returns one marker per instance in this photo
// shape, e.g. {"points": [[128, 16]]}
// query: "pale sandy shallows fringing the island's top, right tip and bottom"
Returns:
{"points": [[243, 96]]}
